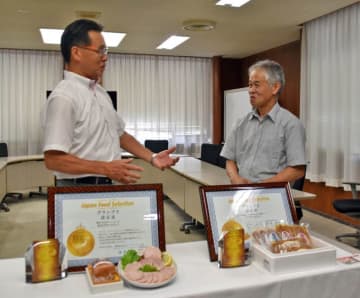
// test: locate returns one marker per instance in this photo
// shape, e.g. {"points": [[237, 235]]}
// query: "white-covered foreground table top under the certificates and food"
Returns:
{"points": [[198, 277]]}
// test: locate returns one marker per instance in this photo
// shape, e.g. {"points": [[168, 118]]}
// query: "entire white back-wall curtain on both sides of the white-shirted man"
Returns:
{"points": [[159, 97]]}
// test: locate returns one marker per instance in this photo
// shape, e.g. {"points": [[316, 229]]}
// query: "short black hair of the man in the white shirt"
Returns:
{"points": [[77, 33]]}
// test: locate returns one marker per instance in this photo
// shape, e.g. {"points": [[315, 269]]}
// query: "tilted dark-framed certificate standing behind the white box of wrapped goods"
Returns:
{"points": [[215, 198]]}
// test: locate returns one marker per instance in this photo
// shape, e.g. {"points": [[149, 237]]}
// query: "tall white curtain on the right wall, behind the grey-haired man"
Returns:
{"points": [[330, 96]]}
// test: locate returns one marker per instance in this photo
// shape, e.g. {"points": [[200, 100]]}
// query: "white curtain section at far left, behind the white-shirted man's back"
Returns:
{"points": [[24, 78]]}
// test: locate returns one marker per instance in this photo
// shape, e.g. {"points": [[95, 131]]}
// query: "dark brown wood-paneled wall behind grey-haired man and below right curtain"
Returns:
{"points": [[233, 73]]}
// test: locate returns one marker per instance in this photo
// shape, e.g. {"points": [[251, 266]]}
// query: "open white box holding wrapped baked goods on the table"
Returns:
{"points": [[324, 255]]}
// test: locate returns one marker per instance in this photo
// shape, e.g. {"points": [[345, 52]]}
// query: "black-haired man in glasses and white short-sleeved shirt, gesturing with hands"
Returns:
{"points": [[83, 133]]}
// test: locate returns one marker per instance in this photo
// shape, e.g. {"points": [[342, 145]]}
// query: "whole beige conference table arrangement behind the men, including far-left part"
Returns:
{"points": [[181, 182]]}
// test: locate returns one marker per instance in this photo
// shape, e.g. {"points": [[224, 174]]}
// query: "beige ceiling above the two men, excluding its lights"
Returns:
{"points": [[257, 26]]}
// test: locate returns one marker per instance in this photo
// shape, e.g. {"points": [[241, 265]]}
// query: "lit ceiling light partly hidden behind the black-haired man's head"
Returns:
{"points": [[53, 36]]}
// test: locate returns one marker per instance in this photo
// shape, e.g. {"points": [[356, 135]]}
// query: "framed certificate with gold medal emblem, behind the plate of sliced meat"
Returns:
{"points": [[95, 222]]}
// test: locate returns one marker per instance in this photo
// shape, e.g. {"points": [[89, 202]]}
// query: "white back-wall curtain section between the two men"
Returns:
{"points": [[164, 97]]}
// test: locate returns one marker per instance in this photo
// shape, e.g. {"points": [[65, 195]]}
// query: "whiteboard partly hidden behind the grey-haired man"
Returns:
{"points": [[236, 106]]}
